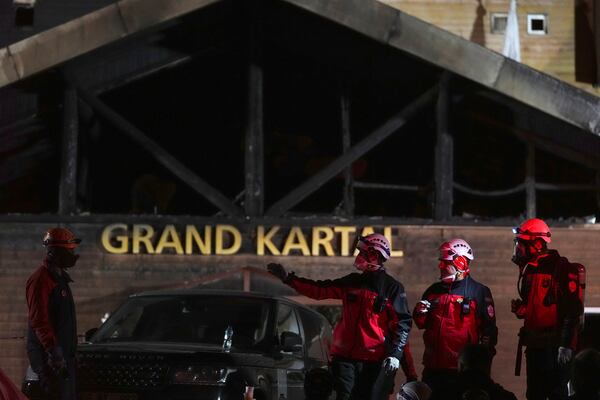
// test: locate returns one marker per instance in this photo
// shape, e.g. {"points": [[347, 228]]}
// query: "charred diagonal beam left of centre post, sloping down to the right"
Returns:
{"points": [[161, 155]]}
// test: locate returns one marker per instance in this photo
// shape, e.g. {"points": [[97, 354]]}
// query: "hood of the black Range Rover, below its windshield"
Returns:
{"points": [[187, 351]]}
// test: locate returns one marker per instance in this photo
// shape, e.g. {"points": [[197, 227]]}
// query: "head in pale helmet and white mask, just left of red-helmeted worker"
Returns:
{"points": [[455, 257]]}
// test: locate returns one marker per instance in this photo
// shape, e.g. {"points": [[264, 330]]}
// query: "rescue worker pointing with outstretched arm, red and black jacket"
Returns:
{"points": [[369, 340]]}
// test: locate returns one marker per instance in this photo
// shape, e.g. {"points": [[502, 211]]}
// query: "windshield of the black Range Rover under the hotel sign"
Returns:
{"points": [[188, 319]]}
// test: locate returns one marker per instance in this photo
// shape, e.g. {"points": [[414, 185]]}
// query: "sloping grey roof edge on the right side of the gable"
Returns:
{"points": [[454, 53]]}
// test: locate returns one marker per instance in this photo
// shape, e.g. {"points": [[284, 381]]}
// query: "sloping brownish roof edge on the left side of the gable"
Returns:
{"points": [[47, 49]]}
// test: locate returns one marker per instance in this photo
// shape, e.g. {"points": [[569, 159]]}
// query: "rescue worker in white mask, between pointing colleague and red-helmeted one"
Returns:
{"points": [[454, 312]]}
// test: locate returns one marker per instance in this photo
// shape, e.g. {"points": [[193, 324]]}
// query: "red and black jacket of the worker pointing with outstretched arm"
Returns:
{"points": [[375, 318]]}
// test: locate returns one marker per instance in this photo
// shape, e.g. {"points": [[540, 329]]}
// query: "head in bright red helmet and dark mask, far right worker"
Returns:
{"points": [[531, 241]]}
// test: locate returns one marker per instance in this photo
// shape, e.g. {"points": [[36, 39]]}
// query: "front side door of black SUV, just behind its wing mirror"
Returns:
{"points": [[290, 365]]}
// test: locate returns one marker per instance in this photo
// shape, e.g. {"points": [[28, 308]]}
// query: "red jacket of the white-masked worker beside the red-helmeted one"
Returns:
{"points": [[462, 312]]}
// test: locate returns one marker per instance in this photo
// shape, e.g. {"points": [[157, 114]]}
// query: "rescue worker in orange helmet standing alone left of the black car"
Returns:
{"points": [[52, 332]]}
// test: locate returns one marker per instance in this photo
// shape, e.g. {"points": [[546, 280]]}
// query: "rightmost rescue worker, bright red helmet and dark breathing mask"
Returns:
{"points": [[550, 306]]}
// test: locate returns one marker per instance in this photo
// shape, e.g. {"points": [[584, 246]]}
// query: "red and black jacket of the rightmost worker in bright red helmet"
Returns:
{"points": [[551, 304]]}
